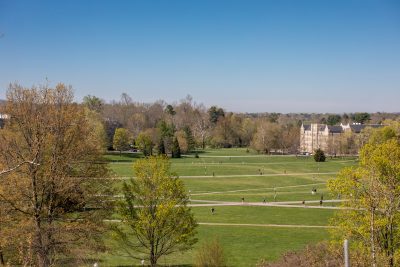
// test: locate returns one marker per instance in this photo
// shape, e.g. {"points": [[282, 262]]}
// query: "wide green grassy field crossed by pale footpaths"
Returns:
{"points": [[248, 233]]}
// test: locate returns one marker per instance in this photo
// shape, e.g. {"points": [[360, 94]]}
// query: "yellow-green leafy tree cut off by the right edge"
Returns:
{"points": [[373, 193]]}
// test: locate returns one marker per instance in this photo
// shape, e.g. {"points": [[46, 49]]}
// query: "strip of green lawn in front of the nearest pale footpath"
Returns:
{"points": [[244, 246]]}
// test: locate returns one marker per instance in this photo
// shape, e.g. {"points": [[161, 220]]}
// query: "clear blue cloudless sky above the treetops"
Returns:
{"points": [[245, 56]]}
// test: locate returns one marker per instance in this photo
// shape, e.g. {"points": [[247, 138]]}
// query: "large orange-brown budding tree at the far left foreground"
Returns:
{"points": [[60, 148]]}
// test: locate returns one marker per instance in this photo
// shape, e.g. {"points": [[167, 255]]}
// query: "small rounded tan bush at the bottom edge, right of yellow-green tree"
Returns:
{"points": [[211, 254]]}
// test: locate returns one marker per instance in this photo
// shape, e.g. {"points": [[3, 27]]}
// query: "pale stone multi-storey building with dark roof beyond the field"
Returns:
{"points": [[314, 136]]}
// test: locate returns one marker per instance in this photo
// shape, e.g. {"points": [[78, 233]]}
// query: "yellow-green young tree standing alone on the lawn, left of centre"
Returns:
{"points": [[155, 212]]}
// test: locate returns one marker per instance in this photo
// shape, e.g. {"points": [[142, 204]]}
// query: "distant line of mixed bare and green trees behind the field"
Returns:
{"points": [[163, 128]]}
